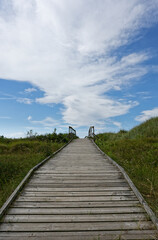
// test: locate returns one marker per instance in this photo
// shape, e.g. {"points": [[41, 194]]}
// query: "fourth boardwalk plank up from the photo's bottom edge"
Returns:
{"points": [[76, 210]]}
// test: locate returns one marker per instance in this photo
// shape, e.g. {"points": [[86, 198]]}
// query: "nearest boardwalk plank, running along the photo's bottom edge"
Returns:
{"points": [[84, 235]]}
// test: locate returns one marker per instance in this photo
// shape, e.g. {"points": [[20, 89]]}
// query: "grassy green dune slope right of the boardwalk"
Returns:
{"points": [[137, 152]]}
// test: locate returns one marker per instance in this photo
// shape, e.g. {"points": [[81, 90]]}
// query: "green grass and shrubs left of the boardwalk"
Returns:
{"points": [[18, 156]]}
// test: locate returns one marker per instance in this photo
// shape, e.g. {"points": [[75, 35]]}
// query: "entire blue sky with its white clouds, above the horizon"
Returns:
{"points": [[77, 63]]}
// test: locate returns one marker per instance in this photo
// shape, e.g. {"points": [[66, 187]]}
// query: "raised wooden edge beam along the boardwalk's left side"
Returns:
{"points": [[24, 181]]}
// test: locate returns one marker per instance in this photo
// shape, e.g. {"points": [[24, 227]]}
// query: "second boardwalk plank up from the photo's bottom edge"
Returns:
{"points": [[92, 226]]}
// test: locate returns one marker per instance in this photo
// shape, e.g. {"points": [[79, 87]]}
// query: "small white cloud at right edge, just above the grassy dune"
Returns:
{"points": [[145, 115]]}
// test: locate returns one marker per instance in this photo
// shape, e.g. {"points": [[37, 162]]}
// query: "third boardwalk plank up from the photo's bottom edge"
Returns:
{"points": [[76, 218]]}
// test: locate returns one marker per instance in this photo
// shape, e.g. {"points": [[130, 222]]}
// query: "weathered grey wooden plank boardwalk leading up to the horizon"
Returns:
{"points": [[77, 195]]}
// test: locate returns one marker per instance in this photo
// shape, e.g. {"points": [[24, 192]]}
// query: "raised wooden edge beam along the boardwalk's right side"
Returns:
{"points": [[133, 187]]}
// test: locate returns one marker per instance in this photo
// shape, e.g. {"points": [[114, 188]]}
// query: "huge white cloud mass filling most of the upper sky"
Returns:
{"points": [[66, 49]]}
